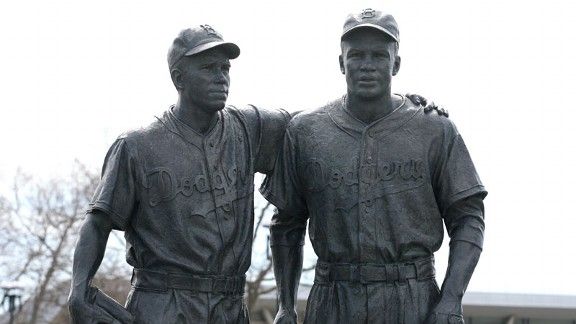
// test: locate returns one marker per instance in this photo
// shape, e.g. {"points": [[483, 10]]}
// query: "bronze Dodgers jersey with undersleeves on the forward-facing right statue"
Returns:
{"points": [[373, 193]]}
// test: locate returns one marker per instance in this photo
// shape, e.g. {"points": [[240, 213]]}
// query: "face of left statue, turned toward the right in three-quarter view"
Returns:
{"points": [[204, 79]]}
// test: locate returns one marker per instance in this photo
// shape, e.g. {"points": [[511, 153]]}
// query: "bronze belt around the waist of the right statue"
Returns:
{"points": [[367, 273]]}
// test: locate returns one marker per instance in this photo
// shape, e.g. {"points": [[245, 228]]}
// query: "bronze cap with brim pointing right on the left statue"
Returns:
{"points": [[192, 41]]}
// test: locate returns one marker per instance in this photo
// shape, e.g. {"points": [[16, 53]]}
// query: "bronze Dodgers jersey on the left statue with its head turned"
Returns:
{"points": [[184, 199]]}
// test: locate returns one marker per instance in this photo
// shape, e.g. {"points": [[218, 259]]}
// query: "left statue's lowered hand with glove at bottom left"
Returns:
{"points": [[83, 312]]}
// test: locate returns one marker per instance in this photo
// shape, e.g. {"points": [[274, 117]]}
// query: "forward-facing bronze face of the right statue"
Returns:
{"points": [[369, 60]]}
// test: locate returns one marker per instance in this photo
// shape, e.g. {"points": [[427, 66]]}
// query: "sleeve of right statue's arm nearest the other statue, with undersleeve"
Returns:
{"points": [[283, 189]]}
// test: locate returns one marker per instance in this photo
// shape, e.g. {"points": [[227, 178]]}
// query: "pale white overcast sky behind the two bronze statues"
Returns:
{"points": [[76, 74]]}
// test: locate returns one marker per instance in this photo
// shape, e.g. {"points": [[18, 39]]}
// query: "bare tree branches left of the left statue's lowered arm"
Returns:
{"points": [[41, 222]]}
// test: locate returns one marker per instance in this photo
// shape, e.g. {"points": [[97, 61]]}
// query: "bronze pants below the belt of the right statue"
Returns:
{"points": [[406, 302]]}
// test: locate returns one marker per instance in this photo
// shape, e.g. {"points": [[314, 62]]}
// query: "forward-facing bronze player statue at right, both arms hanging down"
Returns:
{"points": [[376, 178]]}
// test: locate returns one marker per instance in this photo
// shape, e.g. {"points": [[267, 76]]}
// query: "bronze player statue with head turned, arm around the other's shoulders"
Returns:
{"points": [[182, 190]]}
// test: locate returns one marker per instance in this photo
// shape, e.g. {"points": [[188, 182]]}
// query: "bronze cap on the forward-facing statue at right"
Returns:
{"points": [[373, 19]]}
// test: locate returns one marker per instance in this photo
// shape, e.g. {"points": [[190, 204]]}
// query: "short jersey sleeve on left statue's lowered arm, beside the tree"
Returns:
{"points": [[116, 191]]}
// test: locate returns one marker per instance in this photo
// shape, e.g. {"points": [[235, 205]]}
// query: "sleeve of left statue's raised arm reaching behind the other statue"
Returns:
{"points": [[270, 125]]}
